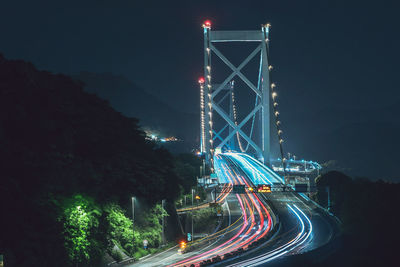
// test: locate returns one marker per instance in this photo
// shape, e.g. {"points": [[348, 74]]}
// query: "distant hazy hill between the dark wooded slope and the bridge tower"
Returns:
{"points": [[132, 101]]}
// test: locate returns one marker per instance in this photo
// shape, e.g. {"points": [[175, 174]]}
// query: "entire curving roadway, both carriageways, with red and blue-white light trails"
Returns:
{"points": [[302, 225]]}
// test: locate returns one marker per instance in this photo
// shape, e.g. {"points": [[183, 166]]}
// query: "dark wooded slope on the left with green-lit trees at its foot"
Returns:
{"points": [[70, 165]]}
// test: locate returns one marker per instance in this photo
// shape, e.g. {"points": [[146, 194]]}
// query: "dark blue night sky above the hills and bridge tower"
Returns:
{"points": [[330, 57]]}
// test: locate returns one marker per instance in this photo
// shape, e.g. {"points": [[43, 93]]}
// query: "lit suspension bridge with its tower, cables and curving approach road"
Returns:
{"points": [[259, 224]]}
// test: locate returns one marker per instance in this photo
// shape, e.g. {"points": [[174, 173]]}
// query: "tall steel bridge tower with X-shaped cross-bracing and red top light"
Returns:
{"points": [[209, 91]]}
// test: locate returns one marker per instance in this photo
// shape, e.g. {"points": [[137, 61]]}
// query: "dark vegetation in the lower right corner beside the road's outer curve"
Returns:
{"points": [[367, 210]]}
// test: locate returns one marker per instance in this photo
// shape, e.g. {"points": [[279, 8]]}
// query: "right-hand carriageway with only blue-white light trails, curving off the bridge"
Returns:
{"points": [[303, 225]]}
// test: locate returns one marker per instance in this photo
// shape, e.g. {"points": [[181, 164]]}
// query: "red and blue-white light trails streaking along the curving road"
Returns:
{"points": [[232, 166]]}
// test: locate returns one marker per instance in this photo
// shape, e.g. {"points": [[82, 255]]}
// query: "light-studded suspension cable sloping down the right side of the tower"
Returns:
{"points": [[275, 103]]}
